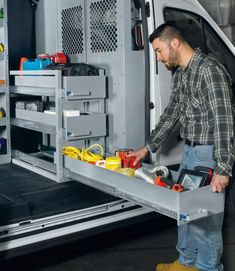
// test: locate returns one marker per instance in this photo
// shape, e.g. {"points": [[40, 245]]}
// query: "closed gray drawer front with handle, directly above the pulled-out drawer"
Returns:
{"points": [[85, 126]]}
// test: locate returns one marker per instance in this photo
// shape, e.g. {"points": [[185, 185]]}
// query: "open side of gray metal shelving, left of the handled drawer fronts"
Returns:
{"points": [[27, 83]]}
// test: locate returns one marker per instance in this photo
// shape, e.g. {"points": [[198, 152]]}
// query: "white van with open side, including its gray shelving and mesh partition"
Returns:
{"points": [[48, 196]]}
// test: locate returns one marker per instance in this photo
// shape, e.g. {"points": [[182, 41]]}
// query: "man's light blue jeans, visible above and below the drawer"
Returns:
{"points": [[200, 243]]}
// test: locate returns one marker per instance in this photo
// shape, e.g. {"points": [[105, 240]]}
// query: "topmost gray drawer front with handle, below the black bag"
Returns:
{"points": [[84, 87]]}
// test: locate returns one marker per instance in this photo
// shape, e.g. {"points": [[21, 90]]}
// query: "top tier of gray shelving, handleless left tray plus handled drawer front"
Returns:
{"points": [[44, 83]]}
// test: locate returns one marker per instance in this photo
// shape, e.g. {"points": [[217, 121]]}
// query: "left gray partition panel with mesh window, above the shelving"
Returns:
{"points": [[71, 20]]}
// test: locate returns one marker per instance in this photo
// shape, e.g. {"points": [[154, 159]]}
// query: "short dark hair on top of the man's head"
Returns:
{"points": [[166, 32]]}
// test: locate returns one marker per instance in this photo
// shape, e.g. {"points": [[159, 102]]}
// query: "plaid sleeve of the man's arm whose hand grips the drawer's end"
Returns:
{"points": [[218, 83]]}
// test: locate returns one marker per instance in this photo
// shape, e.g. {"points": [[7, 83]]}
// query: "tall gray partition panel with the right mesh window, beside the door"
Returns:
{"points": [[109, 45]]}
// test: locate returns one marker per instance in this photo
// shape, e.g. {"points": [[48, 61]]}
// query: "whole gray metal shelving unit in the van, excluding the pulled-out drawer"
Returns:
{"points": [[83, 93]]}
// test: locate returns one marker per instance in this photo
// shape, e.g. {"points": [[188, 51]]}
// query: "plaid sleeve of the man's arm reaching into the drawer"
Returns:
{"points": [[166, 123]]}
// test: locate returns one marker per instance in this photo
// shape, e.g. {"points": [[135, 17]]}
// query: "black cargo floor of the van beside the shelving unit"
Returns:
{"points": [[26, 195]]}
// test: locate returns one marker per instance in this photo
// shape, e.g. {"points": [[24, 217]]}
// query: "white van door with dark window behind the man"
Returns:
{"points": [[201, 31]]}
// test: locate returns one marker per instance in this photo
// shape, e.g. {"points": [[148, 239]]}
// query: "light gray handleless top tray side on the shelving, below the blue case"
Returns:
{"points": [[36, 81]]}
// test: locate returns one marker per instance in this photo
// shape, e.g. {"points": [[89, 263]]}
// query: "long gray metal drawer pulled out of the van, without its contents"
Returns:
{"points": [[184, 207]]}
